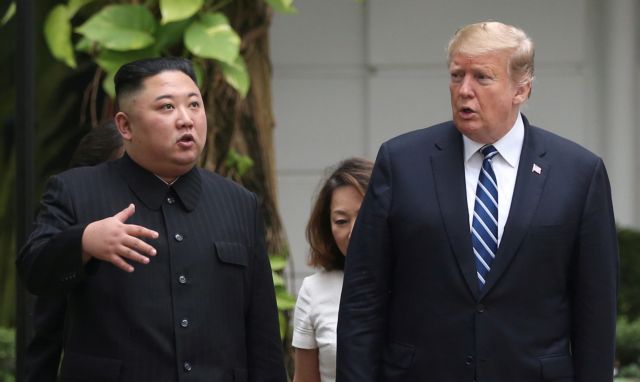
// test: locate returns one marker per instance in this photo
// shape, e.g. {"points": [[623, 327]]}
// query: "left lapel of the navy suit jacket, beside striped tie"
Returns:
{"points": [[448, 172]]}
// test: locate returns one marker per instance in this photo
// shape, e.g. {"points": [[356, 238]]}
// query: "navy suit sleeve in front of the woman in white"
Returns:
{"points": [[362, 318]]}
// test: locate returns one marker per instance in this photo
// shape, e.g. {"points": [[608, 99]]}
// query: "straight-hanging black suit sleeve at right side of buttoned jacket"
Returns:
{"points": [[264, 346]]}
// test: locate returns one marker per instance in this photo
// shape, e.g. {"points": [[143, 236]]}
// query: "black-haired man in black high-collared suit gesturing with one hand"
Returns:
{"points": [[200, 304]]}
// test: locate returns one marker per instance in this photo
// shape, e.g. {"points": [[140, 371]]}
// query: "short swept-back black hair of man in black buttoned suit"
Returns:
{"points": [[130, 76]]}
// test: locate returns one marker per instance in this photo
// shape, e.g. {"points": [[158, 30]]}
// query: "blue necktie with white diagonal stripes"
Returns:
{"points": [[484, 226]]}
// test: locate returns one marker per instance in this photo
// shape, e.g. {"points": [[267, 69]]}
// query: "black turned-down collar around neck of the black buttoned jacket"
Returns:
{"points": [[152, 191]]}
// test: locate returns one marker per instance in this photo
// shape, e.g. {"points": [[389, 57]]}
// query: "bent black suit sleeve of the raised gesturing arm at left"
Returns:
{"points": [[51, 260]]}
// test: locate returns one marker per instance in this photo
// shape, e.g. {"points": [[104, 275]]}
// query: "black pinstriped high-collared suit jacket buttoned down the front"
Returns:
{"points": [[203, 309]]}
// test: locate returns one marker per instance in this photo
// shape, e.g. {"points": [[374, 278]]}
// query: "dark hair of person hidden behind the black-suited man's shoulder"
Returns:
{"points": [[99, 145]]}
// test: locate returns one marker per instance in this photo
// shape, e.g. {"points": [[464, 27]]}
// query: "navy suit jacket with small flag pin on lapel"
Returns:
{"points": [[411, 308]]}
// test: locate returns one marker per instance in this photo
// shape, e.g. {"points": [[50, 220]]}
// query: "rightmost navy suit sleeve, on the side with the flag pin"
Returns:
{"points": [[595, 284]]}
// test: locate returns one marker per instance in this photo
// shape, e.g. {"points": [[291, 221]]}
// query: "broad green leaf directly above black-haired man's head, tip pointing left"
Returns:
{"points": [[121, 27]]}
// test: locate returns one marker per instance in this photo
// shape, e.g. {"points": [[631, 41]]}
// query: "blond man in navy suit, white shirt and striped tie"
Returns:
{"points": [[485, 249]]}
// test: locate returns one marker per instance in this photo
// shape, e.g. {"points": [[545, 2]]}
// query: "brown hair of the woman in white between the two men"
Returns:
{"points": [[324, 252]]}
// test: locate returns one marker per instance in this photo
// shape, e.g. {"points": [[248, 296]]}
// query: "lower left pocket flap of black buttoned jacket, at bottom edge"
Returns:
{"points": [[84, 367]]}
